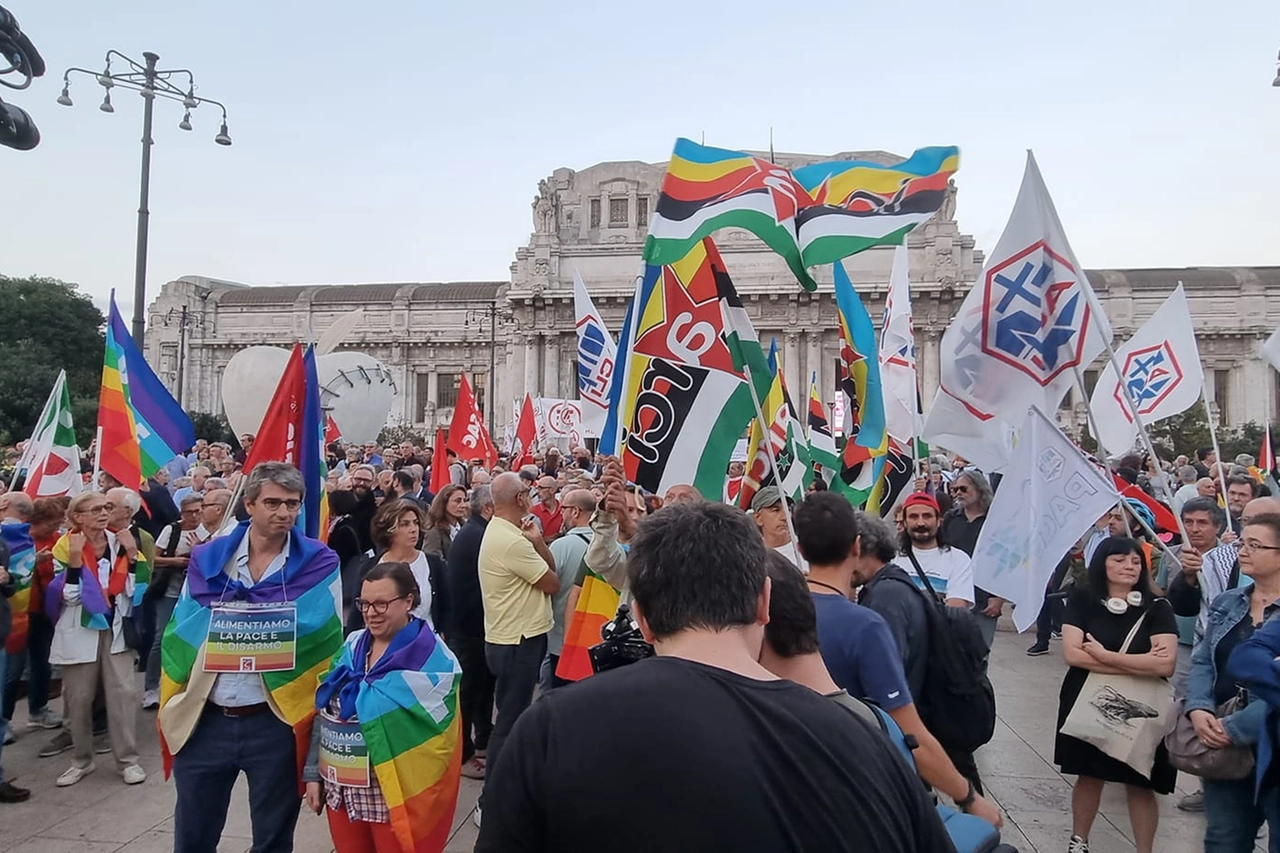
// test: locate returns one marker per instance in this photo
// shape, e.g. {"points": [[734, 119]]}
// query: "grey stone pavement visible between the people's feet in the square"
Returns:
{"points": [[102, 815]]}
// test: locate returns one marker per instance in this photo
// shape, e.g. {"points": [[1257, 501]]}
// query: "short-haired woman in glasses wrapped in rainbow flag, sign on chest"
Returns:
{"points": [[386, 752]]}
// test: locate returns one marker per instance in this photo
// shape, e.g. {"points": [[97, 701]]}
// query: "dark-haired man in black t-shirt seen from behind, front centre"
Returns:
{"points": [[701, 749]]}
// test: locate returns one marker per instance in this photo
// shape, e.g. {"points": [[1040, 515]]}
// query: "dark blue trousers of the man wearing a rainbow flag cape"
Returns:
{"points": [[207, 768]]}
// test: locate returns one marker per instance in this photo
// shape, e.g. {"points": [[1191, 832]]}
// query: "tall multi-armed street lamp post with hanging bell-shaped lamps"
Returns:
{"points": [[150, 83]]}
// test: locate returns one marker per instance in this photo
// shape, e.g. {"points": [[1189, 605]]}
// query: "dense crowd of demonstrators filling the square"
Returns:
{"points": [[772, 635]]}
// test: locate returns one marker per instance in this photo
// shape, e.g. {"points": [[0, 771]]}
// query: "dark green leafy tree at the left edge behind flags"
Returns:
{"points": [[49, 326]]}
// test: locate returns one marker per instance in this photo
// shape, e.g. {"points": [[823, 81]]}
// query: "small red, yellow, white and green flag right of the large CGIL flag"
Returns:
{"points": [[781, 437]]}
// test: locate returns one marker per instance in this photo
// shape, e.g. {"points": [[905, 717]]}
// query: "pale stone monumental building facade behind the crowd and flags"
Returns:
{"points": [[593, 222]]}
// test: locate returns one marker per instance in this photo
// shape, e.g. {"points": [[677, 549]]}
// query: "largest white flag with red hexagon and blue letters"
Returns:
{"points": [[1025, 327]]}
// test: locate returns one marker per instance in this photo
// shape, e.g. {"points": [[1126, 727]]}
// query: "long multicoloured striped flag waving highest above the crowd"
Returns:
{"points": [[815, 216]]}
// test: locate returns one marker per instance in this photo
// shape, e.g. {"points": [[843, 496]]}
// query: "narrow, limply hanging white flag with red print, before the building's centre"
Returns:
{"points": [[898, 354]]}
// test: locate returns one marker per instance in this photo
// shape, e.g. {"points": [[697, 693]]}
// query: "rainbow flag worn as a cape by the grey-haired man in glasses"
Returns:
{"points": [[309, 581]]}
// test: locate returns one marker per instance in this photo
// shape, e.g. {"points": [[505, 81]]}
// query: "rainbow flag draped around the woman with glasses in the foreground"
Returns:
{"points": [[408, 708]]}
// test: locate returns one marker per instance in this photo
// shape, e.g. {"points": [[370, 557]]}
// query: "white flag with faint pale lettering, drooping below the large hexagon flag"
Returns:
{"points": [[1049, 498]]}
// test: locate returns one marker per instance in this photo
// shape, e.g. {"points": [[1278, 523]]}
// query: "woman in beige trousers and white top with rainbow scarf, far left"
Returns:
{"points": [[89, 601]]}
